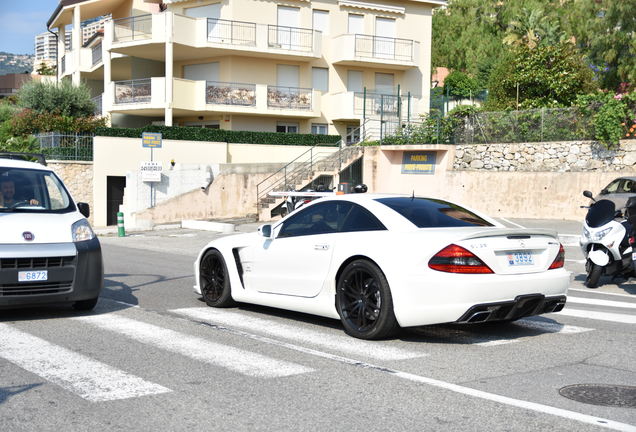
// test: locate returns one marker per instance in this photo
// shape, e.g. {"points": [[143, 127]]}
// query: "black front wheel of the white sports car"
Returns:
{"points": [[214, 280]]}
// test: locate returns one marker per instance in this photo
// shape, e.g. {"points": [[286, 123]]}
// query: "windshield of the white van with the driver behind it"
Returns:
{"points": [[27, 190]]}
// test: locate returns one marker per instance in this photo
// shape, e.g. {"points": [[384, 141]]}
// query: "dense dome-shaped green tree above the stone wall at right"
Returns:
{"points": [[546, 76]]}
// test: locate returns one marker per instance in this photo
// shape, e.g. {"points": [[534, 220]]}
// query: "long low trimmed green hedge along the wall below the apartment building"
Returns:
{"points": [[220, 135]]}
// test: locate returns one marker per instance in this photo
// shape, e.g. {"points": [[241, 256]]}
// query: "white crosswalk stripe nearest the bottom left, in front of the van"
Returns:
{"points": [[88, 378]]}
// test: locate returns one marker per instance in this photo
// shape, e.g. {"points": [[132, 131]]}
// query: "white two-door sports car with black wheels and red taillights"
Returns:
{"points": [[381, 262]]}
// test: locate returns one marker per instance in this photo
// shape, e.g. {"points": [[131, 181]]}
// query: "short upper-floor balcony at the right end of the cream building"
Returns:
{"points": [[366, 50]]}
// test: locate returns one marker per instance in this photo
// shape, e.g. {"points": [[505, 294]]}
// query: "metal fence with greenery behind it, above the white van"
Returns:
{"points": [[77, 147]]}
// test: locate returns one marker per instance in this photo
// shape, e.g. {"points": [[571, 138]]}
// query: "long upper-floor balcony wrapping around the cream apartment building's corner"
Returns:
{"points": [[143, 36]]}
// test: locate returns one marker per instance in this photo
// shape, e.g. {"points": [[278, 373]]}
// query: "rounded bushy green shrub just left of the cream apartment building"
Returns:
{"points": [[63, 99]]}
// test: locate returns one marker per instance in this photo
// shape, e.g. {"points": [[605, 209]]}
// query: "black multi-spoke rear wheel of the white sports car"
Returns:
{"points": [[364, 302]]}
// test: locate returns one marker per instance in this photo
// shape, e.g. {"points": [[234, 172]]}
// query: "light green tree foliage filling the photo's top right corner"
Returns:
{"points": [[605, 32]]}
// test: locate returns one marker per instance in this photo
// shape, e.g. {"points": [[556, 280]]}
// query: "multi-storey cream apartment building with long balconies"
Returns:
{"points": [[296, 66]]}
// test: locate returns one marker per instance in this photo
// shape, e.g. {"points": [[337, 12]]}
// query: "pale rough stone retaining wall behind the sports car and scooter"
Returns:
{"points": [[546, 157]]}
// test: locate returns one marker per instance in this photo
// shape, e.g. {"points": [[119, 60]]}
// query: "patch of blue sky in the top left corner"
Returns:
{"points": [[21, 21]]}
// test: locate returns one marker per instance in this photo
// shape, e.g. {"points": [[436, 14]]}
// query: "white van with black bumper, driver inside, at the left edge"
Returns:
{"points": [[48, 250]]}
